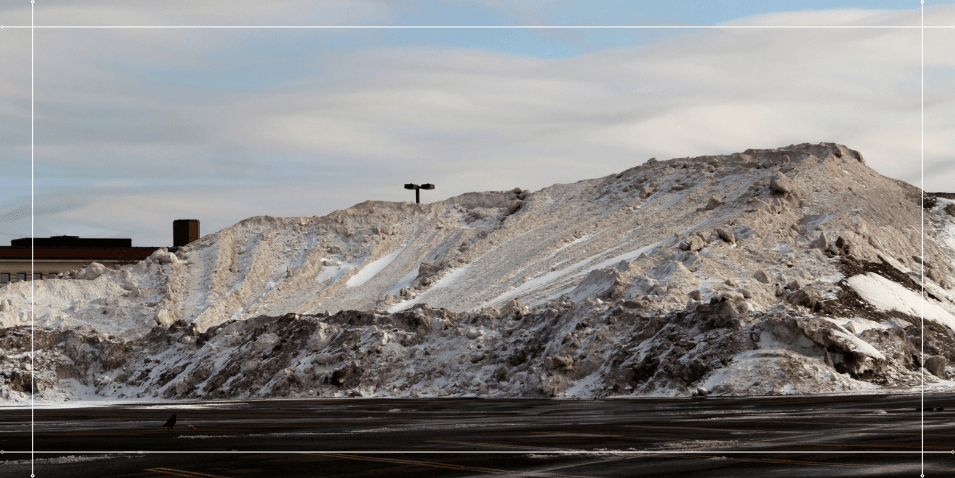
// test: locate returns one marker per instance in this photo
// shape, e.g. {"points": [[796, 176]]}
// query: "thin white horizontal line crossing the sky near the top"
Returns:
{"points": [[489, 27]]}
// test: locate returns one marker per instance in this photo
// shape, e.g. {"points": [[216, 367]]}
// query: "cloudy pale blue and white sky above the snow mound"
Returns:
{"points": [[134, 128]]}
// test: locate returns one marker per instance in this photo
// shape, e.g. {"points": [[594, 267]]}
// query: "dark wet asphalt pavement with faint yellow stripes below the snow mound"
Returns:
{"points": [[731, 437]]}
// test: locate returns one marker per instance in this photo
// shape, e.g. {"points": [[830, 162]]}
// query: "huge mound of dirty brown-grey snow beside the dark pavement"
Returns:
{"points": [[722, 272]]}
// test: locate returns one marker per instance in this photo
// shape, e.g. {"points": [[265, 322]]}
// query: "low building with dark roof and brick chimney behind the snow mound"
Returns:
{"points": [[58, 254]]}
